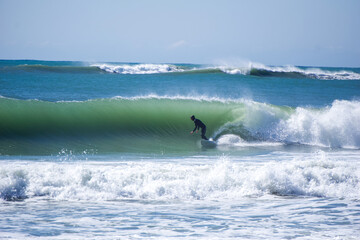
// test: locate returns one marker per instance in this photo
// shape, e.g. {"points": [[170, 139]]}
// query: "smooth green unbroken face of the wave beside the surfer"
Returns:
{"points": [[111, 125]]}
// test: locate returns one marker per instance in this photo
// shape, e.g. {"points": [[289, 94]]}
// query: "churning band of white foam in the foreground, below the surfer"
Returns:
{"points": [[305, 175]]}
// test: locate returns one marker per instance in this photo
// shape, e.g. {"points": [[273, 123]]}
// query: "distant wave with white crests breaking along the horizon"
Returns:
{"points": [[252, 69]]}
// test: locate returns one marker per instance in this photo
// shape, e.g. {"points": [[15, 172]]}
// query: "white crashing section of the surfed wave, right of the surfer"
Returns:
{"points": [[335, 126]]}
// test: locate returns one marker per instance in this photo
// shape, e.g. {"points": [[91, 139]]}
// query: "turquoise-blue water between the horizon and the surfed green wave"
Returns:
{"points": [[68, 81]]}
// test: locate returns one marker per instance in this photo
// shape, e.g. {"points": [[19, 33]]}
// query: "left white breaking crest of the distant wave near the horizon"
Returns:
{"points": [[139, 68]]}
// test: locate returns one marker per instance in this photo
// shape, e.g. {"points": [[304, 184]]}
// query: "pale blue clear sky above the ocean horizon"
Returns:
{"points": [[278, 32]]}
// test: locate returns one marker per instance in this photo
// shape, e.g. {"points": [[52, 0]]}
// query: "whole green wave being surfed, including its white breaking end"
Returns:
{"points": [[128, 123]]}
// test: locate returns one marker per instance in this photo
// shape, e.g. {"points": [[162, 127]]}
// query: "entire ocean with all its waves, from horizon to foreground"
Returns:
{"points": [[104, 151]]}
